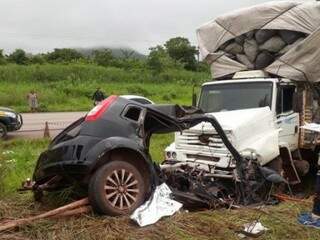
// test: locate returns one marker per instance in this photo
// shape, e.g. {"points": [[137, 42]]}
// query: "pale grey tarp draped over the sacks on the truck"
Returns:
{"points": [[299, 63]]}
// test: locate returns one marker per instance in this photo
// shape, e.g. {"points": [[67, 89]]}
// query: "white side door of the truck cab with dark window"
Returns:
{"points": [[287, 119]]}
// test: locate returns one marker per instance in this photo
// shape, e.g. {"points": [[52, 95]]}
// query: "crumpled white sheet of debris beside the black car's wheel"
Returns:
{"points": [[159, 205]]}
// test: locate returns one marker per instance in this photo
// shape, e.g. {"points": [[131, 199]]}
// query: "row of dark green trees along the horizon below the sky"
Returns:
{"points": [[176, 53]]}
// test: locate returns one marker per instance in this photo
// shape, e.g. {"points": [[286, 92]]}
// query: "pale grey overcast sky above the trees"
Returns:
{"points": [[41, 25]]}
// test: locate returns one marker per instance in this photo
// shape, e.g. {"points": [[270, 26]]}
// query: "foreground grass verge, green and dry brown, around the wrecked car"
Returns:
{"points": [[17, 159]]}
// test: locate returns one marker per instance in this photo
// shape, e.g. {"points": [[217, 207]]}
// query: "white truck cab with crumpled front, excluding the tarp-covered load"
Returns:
{"points": [[261, 116]]}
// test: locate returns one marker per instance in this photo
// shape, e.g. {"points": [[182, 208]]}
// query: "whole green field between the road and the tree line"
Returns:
{"points": [[70, 87]]}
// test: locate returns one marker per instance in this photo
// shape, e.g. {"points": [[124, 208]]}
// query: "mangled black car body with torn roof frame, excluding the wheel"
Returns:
{"points": [[76, 156]]}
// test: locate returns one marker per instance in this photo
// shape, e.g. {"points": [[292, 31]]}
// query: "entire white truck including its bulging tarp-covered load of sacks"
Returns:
{"points": [[266, 69]]}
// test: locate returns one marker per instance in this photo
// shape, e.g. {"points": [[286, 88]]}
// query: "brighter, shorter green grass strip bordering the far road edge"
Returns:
{"points": [[60, 96]]}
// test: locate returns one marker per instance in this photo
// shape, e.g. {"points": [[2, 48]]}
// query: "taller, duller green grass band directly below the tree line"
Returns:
{"points": [[78, 72]]}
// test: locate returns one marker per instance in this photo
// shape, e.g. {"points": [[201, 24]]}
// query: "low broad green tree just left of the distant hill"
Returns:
{"points": [[63, 55]]}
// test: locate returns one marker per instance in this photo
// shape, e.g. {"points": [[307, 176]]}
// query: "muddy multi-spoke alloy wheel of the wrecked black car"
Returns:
{"points": [[117, 188]]}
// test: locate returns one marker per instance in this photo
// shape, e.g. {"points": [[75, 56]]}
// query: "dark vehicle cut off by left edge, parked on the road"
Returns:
{"points": [[9, 121]]}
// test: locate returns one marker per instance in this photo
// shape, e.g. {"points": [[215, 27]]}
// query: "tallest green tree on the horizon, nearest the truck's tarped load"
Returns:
{"points": [[180, 49]]}
